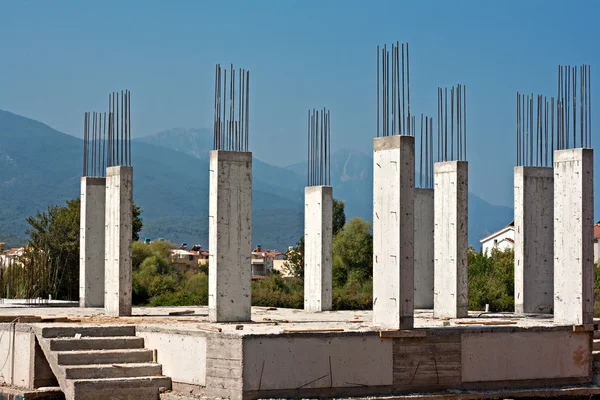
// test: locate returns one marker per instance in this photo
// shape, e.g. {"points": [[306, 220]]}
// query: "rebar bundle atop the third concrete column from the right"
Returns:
{"points": [[453, 147]]}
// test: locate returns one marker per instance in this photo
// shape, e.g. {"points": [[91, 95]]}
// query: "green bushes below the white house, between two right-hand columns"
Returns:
{"points": [[492, 280]]}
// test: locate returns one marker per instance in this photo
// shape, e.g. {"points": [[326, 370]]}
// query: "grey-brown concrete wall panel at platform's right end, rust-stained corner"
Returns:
{"points": [[518, 356]]}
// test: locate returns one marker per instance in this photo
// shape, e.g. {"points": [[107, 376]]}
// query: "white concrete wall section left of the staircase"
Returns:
{"points": [[16, 357]]}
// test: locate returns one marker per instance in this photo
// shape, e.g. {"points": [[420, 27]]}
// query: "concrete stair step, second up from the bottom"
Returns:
{"points": [[96, 371]]}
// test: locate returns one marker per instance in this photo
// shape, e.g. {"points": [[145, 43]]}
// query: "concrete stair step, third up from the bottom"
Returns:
{"points": [[104, 356]]}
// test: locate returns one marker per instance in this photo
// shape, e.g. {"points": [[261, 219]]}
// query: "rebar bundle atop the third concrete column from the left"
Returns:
{"points": [[231, 131]]}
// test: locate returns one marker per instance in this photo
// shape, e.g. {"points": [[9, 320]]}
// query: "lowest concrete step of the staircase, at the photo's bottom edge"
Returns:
{"points": [[145, 387]]}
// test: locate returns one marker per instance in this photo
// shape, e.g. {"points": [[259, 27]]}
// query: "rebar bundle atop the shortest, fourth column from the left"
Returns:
{"points": [[319, 147]]}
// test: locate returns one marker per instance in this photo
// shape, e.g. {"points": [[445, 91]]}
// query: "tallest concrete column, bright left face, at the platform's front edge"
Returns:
{"points": [[393, 231]]}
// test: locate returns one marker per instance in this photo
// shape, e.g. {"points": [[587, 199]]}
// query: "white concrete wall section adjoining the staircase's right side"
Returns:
{"points": [[182, 355]]}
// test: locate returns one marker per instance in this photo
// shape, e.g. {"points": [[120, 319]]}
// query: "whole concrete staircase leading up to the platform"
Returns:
{"points": [[102, 362]]}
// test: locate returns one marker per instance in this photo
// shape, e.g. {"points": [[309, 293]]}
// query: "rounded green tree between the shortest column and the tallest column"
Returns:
{"points": [[353, 252]]}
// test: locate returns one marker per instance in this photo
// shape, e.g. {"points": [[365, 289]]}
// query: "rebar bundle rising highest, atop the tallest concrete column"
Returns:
{"points": [[395, 114]]}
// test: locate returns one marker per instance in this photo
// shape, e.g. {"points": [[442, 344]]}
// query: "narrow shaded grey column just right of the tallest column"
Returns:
{"points": [[424, 248]]}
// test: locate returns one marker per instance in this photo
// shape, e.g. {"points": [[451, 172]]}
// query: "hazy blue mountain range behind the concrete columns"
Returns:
{"points": [[40, 166]]}
